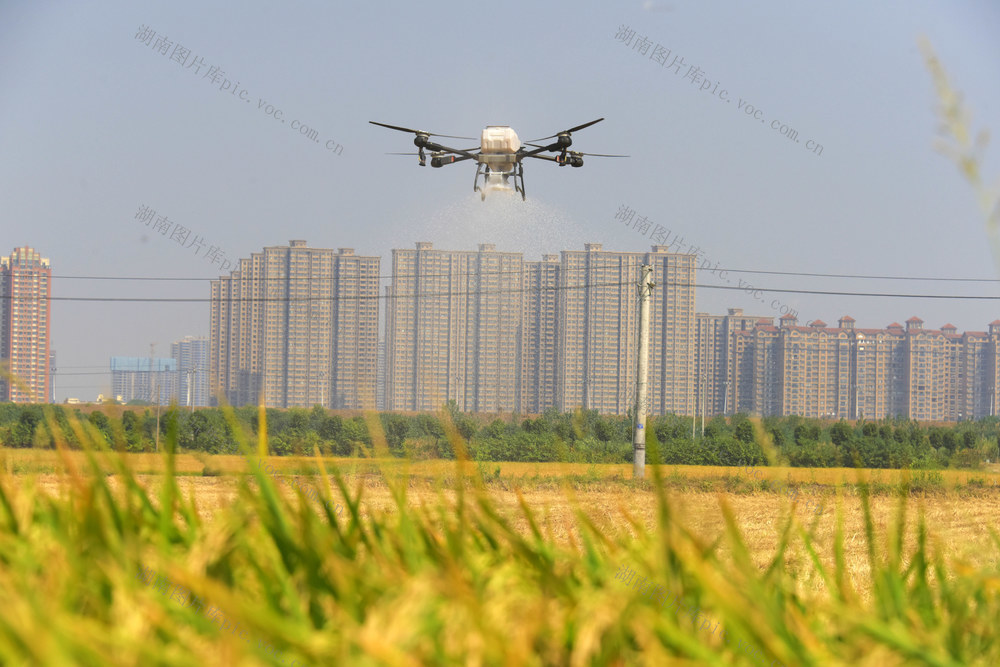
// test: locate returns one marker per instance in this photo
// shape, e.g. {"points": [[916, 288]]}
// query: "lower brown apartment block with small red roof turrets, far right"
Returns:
{"points": [[848, 372]]}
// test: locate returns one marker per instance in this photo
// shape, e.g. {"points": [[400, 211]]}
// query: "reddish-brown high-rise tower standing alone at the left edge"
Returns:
{"points": [[25, 289]]}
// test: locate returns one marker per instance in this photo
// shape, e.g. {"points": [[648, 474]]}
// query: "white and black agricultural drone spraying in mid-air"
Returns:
{"points": [[499, 154]]}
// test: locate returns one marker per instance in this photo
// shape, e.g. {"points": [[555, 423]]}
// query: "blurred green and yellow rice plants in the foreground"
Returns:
{"points": [[85, 569]]}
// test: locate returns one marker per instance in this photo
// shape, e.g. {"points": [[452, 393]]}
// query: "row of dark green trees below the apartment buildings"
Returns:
{"points": [[583, 436]]}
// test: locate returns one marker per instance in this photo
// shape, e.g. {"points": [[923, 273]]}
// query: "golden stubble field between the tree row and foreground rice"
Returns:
{"points": [[958, 519]]}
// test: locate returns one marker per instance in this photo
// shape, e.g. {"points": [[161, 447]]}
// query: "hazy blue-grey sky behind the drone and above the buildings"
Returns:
{"points": [[95, 124]]}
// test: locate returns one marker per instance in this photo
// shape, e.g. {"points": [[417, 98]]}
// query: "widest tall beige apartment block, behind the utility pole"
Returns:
{"points": [[495, 333]]}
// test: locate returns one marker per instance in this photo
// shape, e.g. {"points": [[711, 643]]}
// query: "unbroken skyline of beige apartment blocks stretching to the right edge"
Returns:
{"points": [[494, 333]]}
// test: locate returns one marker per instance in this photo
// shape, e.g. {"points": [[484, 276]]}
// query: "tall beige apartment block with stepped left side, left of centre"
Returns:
{"points": [[295, 326]]}
